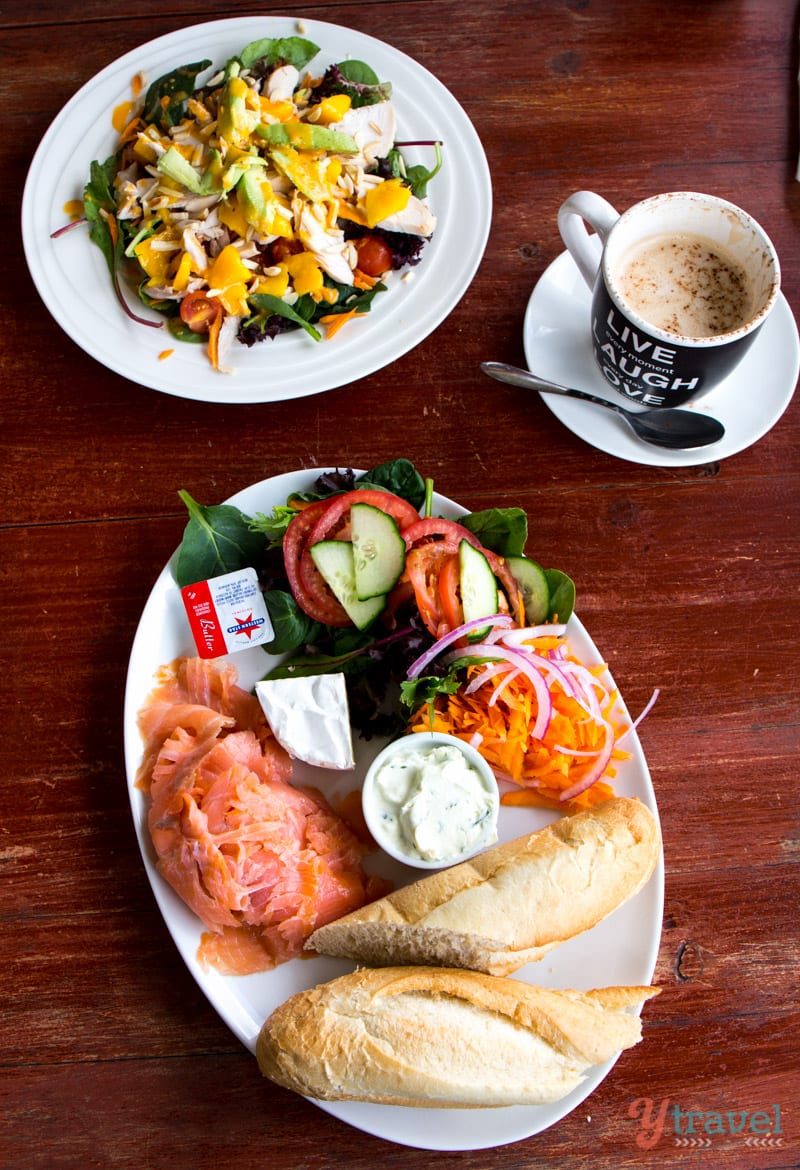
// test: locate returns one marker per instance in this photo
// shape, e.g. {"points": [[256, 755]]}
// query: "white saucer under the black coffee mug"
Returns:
{"points": [[749, 403]]}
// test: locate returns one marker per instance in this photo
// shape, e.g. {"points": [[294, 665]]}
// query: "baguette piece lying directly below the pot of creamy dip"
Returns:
{"points": [[513, 904]]}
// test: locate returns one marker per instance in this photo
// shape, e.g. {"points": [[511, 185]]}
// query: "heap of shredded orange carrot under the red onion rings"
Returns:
{"points": [[499, 717]]}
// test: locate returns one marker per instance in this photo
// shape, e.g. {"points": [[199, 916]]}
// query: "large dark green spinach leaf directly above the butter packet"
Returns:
{"points": [[217, 540]]}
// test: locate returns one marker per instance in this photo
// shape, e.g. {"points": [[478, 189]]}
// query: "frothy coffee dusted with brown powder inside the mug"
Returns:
{"points": [[686, 285]]}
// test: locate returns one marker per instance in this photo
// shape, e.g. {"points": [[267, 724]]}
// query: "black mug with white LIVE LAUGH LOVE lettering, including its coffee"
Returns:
{"points": [[727, 279]]}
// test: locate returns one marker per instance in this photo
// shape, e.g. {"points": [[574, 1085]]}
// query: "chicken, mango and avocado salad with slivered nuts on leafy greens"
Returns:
{"points": [[264, 199]]}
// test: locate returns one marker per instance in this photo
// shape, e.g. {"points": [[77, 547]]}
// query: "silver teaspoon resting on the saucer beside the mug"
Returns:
{"points": [[664, 426]]}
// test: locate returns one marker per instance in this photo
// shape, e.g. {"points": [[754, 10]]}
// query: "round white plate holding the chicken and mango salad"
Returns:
{"points": [[74, 281]]}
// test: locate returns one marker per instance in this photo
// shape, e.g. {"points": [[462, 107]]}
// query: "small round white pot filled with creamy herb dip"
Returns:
{"points": [[431, 800]]}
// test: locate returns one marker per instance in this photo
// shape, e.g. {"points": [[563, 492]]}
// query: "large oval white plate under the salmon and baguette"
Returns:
{"points": [[622, 951]]}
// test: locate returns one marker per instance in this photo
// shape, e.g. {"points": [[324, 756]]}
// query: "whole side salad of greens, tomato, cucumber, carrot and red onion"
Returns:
{"points": [[436, 623]]}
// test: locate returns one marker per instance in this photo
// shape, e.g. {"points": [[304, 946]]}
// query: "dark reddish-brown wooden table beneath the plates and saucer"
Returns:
{"points": [[687, 580]]}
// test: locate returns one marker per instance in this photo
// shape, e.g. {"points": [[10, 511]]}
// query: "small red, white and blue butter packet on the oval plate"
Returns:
{"points": [[227, 614]]}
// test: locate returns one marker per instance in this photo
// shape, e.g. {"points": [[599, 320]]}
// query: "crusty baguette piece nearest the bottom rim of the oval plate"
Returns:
{"points": [[447, 1038]]}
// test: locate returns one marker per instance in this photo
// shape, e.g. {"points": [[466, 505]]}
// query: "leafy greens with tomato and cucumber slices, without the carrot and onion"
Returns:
{"points": [[361, 577]]}
